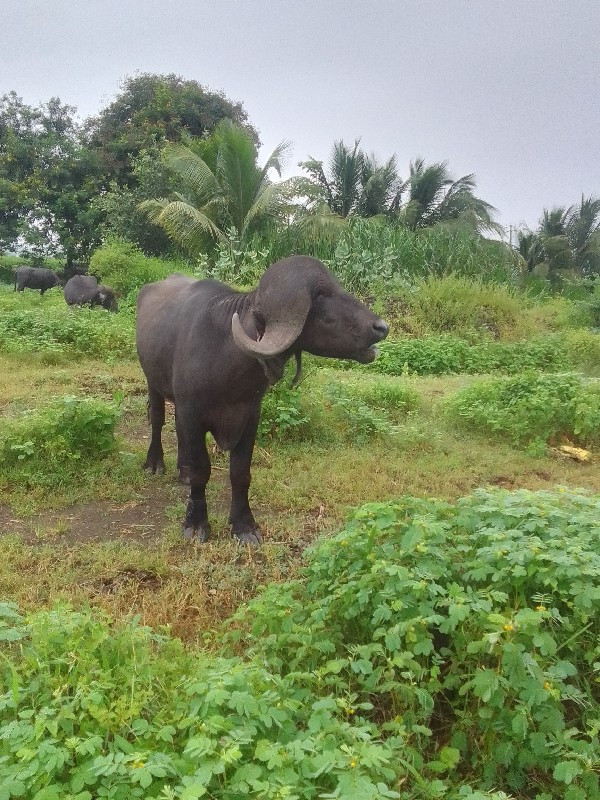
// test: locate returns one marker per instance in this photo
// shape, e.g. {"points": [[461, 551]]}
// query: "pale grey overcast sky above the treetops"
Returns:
{"points": [[507, 89]]}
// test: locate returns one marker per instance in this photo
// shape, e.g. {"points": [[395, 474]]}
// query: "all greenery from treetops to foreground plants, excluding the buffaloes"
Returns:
{"points": [[411, 648]]}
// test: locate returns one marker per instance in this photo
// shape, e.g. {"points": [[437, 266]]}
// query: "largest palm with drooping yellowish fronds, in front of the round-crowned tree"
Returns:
{"points": [[232, 194]]}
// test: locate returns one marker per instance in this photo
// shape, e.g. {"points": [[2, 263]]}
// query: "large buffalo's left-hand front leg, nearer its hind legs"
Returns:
{"points": [[195, 523]]}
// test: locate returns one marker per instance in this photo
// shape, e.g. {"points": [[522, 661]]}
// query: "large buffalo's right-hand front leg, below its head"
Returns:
{"points": [[241, 519]]}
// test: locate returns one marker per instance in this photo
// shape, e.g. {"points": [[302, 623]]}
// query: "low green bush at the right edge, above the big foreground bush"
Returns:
{"points": [[531, 409]]}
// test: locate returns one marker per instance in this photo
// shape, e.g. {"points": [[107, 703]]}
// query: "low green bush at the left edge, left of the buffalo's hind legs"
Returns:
{"points": [[57, 443]]}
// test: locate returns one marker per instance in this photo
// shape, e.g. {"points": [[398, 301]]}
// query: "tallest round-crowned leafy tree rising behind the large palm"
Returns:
{"points": [[155, 108]]}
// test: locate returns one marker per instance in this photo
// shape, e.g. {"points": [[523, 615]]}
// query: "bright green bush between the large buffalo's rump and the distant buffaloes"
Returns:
{"points": [[124, 268]]}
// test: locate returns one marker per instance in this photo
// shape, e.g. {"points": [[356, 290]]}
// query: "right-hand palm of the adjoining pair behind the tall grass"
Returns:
{"points": [[434, 196]]}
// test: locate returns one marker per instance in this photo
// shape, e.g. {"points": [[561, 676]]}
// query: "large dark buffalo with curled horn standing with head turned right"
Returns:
{"points": [[214, 351]]}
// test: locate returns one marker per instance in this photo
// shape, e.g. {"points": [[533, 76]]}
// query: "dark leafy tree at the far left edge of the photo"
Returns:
{"points": [[48, 176]]}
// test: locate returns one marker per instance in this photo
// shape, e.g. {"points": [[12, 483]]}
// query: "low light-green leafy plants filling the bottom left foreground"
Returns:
{"points": [[93, 710]]}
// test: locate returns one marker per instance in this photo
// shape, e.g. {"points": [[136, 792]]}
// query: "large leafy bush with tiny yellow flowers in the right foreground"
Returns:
{"points": [[468, 632]]}
